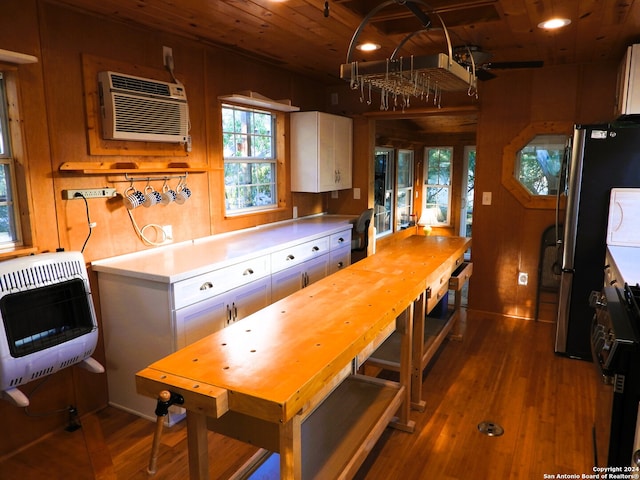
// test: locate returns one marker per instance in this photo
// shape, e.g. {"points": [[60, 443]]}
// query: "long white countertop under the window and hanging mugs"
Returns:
{"points": [[171, 263]]}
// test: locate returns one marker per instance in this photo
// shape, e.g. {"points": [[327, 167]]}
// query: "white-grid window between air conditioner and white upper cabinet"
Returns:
{"points": [[249, 150]]}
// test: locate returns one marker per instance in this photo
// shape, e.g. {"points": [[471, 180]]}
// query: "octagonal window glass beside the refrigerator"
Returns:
{"points": [[539, 163]]}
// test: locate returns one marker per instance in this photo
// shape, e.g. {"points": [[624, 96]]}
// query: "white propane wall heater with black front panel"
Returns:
{"points": [[47, 320]]}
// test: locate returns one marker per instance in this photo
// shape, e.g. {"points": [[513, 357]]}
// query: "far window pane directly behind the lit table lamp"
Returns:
{"points": [[437, 179]]}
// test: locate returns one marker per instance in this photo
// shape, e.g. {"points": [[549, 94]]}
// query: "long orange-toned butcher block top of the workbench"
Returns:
{"points": [[271, 364]]}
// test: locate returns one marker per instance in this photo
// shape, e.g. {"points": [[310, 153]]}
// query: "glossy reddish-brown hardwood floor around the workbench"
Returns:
{"points": [[504, 371]]}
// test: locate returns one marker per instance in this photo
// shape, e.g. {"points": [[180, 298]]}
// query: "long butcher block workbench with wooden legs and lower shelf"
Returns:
{"points": [[285, 378]]}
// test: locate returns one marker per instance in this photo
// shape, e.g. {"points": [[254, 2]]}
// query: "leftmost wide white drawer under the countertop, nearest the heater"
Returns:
{"points": [[218, 281]]}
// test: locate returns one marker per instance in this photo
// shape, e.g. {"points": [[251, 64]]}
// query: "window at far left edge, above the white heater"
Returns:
{"points": [[10, 232]]}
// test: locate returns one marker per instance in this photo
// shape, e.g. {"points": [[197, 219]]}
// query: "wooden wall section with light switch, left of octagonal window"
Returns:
{"points": [[504, 110]]}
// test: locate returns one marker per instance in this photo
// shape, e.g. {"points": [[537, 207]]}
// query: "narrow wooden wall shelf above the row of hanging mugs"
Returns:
{"points": [[104, 168]]}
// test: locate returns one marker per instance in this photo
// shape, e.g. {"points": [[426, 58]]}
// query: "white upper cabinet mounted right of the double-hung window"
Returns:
{"points": [[321, 152]]}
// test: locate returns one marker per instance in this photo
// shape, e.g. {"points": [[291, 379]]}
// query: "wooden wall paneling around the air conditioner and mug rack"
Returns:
{"points": [[66, 116]]}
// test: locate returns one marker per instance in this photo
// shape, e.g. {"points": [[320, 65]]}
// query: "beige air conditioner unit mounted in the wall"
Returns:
{"points": [[140, 109]]}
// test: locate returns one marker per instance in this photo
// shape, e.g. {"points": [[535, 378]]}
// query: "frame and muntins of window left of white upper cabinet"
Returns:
{"points": [[275, 159]]}
